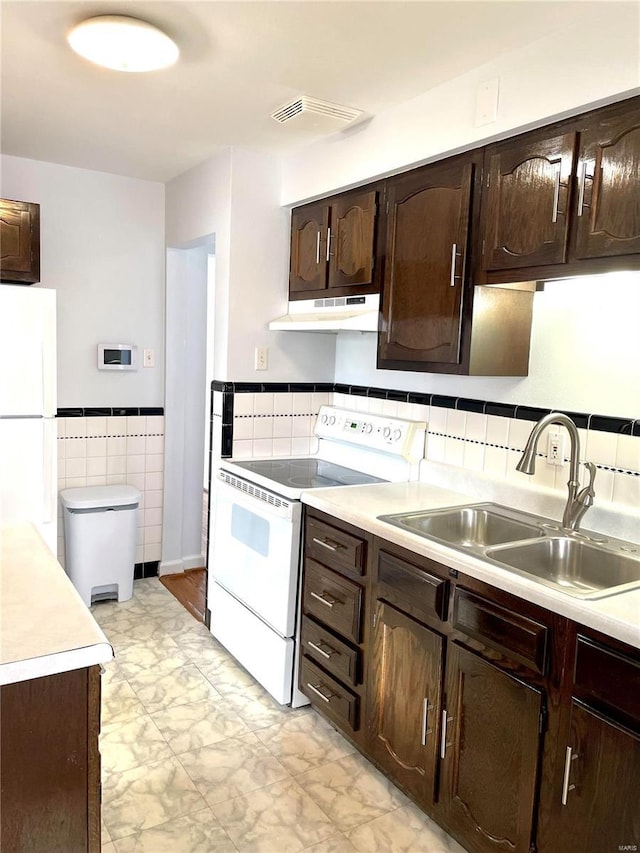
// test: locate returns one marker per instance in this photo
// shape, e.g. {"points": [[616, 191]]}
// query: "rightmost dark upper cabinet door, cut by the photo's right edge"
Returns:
{"points": [[608, 203]]}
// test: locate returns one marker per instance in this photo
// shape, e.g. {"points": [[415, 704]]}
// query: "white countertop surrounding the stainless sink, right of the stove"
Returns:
{"points": [[617, 616]]}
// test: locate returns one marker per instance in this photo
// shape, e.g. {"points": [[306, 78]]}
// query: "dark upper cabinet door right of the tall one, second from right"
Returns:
{"points": [[527, 203]]}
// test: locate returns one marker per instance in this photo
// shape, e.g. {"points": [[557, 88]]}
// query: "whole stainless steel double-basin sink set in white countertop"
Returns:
{"points": [[582, 564]]}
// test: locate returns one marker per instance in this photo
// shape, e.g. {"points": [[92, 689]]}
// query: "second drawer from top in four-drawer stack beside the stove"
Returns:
{"points": [[332, 599]]}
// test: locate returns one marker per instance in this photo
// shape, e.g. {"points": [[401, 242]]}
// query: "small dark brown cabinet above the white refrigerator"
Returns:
{"points": [[20, 241]]}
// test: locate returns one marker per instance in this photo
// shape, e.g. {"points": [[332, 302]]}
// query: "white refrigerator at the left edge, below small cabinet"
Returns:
{"points": [[28, 454]]}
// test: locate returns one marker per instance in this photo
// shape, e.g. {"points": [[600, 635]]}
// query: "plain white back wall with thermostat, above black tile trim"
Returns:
{"points": [[102, 250]]}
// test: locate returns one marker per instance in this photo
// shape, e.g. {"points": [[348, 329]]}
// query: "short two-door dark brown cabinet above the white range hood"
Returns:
{"points": [[332, 247]]}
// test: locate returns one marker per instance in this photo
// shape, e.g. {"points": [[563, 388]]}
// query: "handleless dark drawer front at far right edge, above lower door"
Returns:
{"points": [[606, 677]]}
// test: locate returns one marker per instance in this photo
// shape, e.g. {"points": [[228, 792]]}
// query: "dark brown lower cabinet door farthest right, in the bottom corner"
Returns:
{"points": [[600, 789]]}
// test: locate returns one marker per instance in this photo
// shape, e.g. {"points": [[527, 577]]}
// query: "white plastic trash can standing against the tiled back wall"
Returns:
{"points": [[100, 529]]}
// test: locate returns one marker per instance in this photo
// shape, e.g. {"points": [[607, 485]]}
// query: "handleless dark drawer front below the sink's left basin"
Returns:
{"points": [[411, 588]]}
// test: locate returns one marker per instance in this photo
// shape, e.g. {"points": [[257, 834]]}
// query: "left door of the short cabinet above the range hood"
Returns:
{"points": [[309, 248]]}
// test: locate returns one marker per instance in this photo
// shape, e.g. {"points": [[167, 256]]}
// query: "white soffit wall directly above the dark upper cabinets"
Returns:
{"points": [[594, 60]]}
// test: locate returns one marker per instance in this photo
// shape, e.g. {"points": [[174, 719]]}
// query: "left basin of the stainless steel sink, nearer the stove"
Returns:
{"points": [[476, 526]]}
